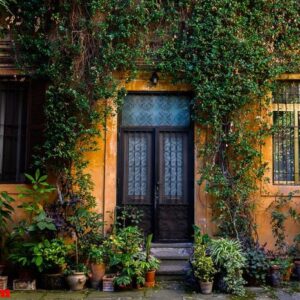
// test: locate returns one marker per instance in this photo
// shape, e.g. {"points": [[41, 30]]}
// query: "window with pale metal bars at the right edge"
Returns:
{"points": [[286, 115]]}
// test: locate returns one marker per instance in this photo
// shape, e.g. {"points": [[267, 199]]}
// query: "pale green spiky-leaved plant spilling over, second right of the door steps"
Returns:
{"points": [[228, 257]]}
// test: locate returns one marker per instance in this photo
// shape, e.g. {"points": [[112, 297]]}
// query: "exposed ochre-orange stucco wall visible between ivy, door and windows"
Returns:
{"points": [[103, 169]]}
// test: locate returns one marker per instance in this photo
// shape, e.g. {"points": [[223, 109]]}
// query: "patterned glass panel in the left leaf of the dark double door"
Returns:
{"points": [[137, 164]]}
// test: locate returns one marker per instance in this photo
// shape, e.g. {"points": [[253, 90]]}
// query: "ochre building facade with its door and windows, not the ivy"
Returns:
{"points": [[148, 156]]}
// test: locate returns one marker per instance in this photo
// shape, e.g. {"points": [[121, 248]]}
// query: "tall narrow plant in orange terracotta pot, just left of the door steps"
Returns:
{"points": [[152, 264]]}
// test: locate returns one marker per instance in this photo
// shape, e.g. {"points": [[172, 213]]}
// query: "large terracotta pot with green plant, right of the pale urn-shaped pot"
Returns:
{"points": [[97, 257]]}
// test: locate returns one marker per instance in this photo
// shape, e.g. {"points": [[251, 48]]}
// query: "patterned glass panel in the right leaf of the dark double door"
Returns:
{"points": [[173, 164]]}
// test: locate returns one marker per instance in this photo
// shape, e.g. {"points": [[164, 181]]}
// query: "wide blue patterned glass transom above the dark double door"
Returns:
{"points": [[156, 110]]}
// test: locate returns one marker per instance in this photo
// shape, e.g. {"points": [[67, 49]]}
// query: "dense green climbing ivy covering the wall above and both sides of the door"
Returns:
{"points": [[230, 52]]}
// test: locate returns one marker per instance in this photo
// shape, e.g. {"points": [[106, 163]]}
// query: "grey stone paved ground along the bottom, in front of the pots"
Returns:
{"points": [[170, 291]]}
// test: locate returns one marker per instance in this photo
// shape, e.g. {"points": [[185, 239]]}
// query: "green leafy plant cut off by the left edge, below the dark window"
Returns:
{"points": [[6, 211]]}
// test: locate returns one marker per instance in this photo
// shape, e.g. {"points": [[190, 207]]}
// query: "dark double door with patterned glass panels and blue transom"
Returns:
{"points": [[155, 163]]}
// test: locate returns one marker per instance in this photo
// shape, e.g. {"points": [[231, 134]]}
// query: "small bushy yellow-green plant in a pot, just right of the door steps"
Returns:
{"points": [[203, 268]]}
